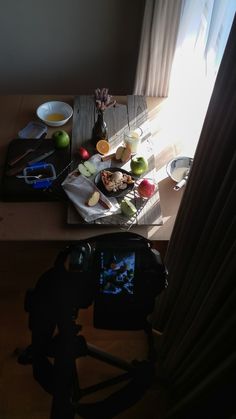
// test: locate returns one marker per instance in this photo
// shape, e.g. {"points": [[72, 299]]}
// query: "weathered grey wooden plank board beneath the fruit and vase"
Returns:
{"points": [[118, 118]]}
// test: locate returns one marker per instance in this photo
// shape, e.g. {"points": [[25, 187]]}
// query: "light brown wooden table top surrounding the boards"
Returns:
{"points": [[32, 221]]}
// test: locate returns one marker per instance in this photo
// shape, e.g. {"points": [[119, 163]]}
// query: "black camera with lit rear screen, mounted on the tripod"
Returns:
{"points": [[124, 275]]}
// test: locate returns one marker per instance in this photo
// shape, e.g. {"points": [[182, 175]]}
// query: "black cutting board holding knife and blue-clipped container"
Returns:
{"points": [[14, 189]]}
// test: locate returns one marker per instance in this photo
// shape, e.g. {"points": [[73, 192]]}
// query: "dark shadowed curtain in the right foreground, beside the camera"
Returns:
{"points": [[196, 352]]}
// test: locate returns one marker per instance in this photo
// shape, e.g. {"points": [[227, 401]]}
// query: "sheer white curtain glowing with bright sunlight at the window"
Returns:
{"points": [[203, 33]]}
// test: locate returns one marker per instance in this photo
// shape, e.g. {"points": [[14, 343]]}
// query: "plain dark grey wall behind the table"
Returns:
{"points": [[69, 46]]}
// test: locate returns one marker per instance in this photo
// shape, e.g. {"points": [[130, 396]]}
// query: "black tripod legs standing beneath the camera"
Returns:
{"points": [[67, 393]]}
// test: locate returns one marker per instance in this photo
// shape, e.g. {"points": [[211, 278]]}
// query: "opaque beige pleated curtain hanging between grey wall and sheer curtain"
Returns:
{"points": [[157, 47]]}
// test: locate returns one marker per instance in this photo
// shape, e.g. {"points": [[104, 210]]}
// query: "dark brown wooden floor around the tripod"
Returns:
{"points": [[21, 397]]}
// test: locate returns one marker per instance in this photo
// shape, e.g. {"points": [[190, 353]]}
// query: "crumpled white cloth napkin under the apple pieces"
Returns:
{"points": [[79, 189]]}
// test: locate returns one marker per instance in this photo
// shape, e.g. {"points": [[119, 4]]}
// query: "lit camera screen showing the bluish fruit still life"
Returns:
{"points": [[117, 269]]}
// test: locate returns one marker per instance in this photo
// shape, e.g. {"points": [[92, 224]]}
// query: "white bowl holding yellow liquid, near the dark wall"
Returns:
{"points": [[55, 113]]}
